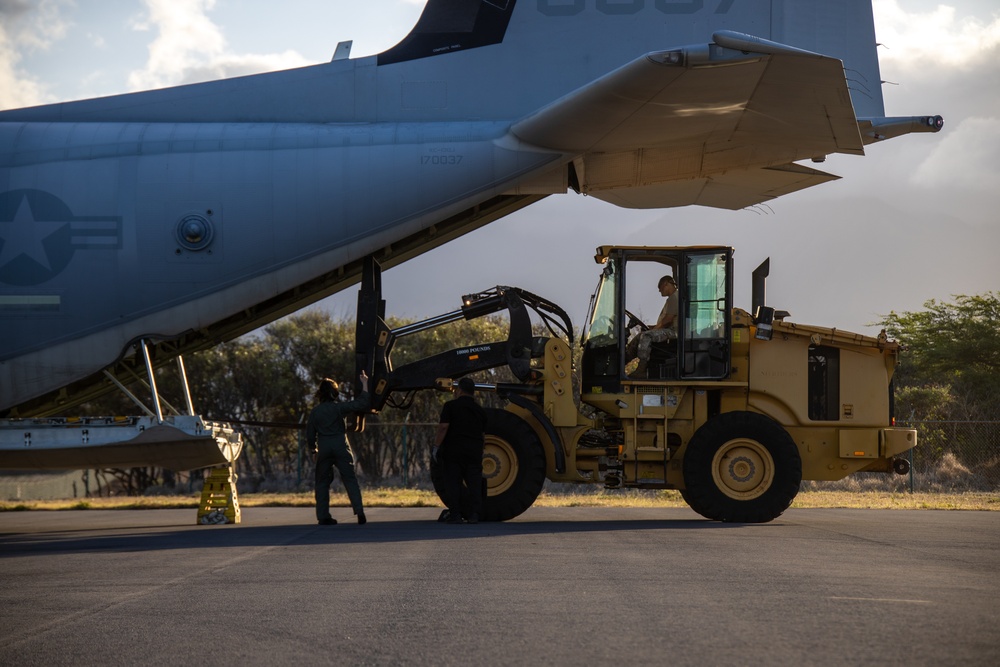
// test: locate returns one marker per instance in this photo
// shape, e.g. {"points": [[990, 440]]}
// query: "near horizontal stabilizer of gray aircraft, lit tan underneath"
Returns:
{"points": [[777, 107]]}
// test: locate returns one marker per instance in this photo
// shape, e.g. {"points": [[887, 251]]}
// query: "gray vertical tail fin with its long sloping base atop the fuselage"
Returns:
{"points": [[497, 60]]}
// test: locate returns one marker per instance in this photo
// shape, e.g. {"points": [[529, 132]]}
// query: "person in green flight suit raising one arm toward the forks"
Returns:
{"points": [[327, 440]]}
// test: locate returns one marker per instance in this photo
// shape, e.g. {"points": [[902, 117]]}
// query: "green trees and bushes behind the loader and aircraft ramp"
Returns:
{"points": [[949, 371]]}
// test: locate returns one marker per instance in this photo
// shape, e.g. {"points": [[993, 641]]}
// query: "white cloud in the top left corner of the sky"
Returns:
{"points": [[26, 27]]}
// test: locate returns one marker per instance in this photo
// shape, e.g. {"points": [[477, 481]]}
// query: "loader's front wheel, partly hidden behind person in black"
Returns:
{"points": [[513, 467]]}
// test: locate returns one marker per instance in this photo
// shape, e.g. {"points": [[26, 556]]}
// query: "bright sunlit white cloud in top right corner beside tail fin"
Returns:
{"points": [[914, 39]]}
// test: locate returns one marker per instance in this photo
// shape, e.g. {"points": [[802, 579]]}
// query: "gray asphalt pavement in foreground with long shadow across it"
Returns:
{"points": [[568, 586]]}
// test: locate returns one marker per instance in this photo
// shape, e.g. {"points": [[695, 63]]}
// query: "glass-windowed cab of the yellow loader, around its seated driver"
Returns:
{"points": [[627, 293]]}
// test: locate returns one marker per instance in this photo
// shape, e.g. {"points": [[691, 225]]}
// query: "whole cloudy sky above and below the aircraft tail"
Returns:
{"points": [[915, 219]]}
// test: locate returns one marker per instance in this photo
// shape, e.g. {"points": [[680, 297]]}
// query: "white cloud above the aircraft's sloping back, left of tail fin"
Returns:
{"points": [[191, 48]]}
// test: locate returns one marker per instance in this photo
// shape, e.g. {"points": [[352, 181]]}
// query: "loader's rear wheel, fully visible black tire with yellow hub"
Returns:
{"points": [[741, 467]]}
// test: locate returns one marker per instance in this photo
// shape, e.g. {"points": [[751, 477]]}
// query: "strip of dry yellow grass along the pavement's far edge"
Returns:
{"points": [[401, 497]]}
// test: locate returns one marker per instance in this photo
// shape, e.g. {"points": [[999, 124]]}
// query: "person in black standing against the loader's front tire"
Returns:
{"points": [[458, 449]]}
